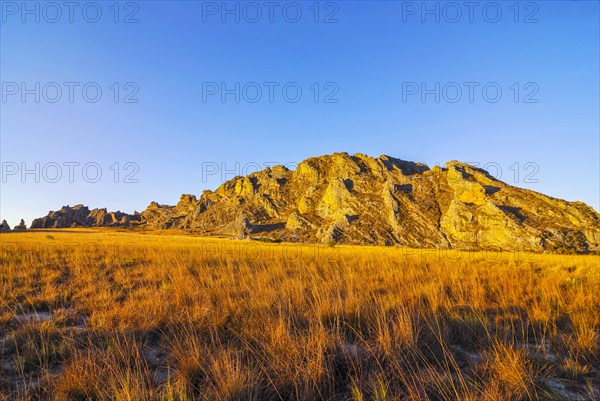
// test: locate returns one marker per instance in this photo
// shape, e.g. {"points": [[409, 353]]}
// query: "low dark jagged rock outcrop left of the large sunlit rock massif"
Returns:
{"points": [[82, 216]]}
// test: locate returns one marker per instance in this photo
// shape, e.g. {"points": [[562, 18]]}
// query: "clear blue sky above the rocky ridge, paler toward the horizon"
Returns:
{"points": [[370, 56]]}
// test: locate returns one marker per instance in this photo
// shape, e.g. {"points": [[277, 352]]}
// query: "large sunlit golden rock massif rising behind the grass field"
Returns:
{"points": [[364, 200]]}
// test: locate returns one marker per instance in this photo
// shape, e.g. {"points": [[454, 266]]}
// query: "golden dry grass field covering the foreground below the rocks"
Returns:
{"points": [[111, 315]]}
